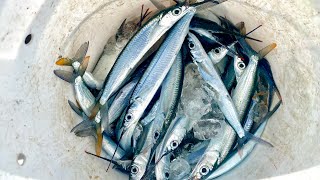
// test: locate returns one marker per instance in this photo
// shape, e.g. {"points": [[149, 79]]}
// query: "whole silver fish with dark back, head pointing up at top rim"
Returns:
{"points": [[138, 46]]}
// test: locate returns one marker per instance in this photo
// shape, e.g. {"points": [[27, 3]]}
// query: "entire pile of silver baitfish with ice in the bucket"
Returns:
{"points": [[138, 109]]}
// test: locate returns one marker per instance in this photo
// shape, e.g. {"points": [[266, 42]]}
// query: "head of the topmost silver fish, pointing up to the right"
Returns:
{"points": [[172, 15]]}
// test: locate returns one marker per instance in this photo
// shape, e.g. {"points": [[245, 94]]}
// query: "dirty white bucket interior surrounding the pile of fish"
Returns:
{"points": [[35, 119]]}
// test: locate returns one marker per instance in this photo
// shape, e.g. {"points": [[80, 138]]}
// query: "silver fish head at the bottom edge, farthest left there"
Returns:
{"points": [[138, 167]]}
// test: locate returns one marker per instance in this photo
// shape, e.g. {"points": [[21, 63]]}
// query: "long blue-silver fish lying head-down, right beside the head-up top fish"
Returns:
{"points": [[155, 74]]}
